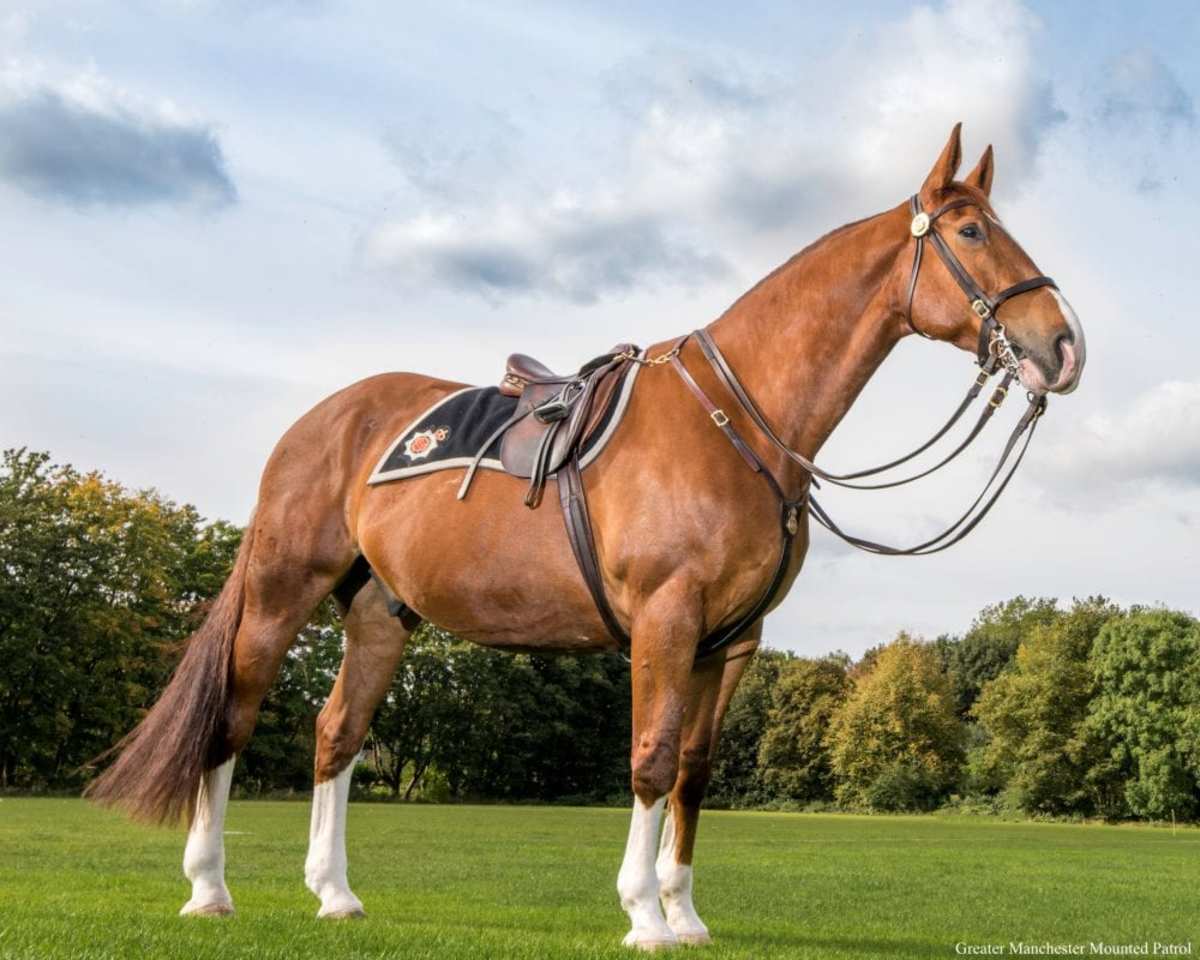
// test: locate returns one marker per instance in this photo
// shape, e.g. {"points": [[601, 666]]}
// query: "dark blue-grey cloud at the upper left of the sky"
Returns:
{"points": [[87, 143]]}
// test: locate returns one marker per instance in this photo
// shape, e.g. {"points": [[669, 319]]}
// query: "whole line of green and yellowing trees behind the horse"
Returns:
{"points": [[1039, 710]]}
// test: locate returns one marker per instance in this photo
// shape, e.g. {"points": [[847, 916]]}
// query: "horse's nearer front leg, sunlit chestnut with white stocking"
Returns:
{"points": [[664, 639]]}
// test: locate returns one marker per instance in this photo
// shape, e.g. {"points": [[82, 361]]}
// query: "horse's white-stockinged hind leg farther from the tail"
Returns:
{"points": [[375, 643]]}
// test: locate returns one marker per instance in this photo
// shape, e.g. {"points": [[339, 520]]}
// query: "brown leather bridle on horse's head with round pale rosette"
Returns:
{"points": [[994, 344]]}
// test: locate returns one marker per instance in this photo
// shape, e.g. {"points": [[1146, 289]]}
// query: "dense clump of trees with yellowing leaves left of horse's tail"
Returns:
{"points": [[100, 585]]}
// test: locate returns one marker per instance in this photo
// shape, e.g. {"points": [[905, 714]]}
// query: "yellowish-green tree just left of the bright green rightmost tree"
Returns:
{"points": [[1039, 752]]}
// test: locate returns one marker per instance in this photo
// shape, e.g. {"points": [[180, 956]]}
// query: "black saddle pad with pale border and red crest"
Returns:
{"points": [[451, 433]]}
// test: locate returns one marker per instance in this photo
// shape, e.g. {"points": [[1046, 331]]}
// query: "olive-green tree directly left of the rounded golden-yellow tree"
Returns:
{"points": [[794, 758]]}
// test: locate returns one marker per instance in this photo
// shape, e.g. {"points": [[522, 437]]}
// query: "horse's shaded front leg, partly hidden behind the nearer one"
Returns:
{"points": [[713, 683]]}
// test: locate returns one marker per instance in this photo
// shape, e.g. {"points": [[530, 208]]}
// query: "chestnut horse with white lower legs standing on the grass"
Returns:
{"points": [[686, 535]]}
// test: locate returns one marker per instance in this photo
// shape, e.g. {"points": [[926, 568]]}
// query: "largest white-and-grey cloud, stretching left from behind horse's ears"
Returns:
{"points": [[722, 154]]}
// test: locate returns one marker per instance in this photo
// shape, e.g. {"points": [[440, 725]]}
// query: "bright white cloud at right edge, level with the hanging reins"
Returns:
{"points": [[1156, 441]]}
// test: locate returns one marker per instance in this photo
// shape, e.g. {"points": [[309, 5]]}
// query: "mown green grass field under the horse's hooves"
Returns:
{"points": [[539, 883]]}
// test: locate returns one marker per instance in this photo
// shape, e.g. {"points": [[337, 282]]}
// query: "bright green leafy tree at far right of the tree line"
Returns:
{"points": [[1147, 668]]}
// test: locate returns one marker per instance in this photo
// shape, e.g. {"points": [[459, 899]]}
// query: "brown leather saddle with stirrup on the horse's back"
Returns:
{"points": [[554, 418]]}
